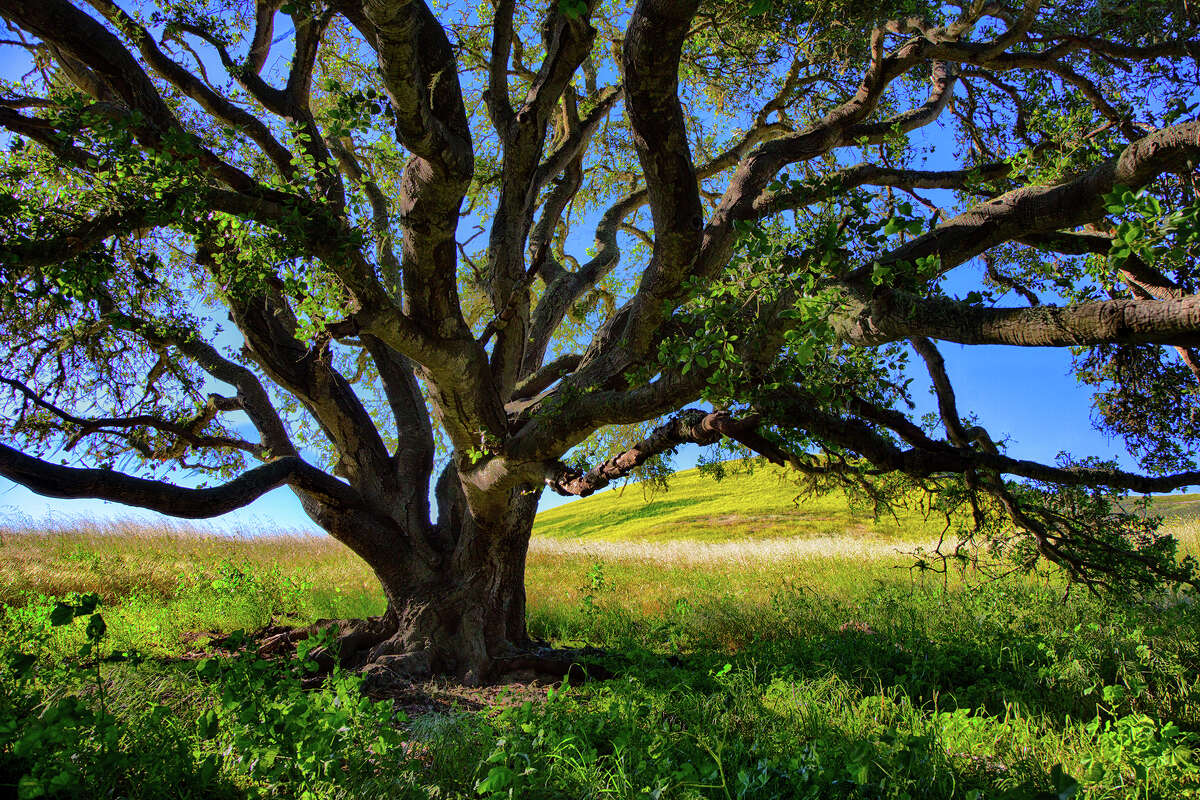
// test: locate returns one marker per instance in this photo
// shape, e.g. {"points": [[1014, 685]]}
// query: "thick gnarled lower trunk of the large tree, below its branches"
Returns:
{"points": [[463, 613]]}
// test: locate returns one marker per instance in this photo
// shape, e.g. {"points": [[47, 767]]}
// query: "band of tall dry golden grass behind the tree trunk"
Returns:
{"points": [[124, 560]]}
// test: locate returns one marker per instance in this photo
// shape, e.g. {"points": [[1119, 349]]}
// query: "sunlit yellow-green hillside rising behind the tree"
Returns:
{"points": [[761, 506]]}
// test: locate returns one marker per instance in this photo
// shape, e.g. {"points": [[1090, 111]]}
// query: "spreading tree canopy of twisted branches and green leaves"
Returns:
{"points": [[340, 245]]}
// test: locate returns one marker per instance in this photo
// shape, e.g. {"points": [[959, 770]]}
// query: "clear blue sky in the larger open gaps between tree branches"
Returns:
{"points": [[1024, 394]]}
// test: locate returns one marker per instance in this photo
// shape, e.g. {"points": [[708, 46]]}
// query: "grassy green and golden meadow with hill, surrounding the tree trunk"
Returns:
{"points": [[759, 649]]}
